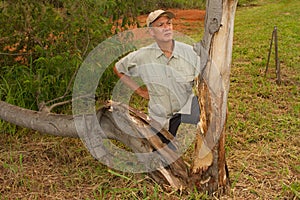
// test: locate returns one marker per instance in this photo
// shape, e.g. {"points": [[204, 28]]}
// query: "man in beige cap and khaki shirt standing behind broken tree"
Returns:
{"points": [[168, 69]]}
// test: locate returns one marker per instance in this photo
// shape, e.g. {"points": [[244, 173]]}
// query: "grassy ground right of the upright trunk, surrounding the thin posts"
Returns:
{"points": [[263, 125]]}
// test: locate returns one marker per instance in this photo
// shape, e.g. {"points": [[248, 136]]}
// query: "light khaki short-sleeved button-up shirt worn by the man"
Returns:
{"points": [[168, 80]]}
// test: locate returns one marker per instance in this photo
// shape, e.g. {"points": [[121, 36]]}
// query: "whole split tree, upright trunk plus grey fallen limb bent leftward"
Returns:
{"points": [[208, 171]]}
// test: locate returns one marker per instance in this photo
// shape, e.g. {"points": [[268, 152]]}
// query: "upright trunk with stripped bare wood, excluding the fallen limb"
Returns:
{"points": [[215, 50]]}
